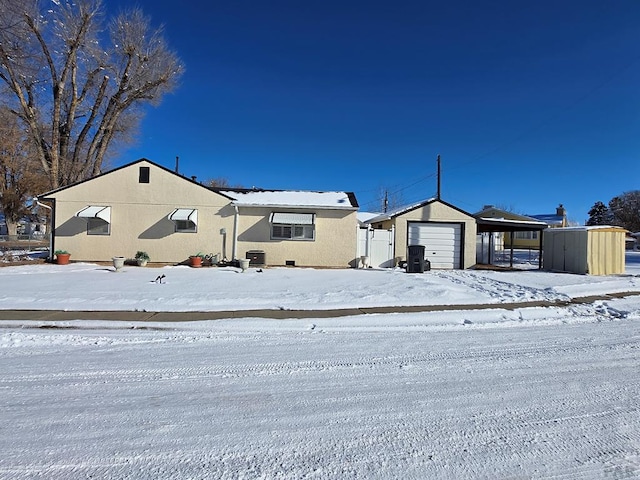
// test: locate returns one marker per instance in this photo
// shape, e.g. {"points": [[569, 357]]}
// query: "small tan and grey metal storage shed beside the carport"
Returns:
{"points": [[594, 250]]}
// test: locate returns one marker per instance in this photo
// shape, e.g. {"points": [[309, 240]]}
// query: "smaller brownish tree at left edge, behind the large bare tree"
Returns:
{"points": [[20, 172]]}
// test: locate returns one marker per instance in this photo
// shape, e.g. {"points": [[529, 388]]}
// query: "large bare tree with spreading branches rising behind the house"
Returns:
{"points": [[78, 86]]}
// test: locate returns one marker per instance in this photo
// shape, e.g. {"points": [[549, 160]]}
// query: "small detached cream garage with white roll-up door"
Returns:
{"points": [[447, 233]]}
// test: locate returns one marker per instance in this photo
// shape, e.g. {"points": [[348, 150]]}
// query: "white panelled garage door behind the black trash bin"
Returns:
{"points": [[442, 242]]}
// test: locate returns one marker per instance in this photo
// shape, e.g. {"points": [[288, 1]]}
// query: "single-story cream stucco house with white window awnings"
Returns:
{"points": [[143, 206]]}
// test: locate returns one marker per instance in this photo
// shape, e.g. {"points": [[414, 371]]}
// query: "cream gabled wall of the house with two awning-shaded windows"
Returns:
{"points": [[139, 214]]}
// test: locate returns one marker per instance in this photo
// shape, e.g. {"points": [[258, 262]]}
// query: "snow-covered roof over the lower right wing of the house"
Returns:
{"points": [[291, 198]]}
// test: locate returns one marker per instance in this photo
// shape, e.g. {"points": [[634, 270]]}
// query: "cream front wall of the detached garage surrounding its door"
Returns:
{"points": [[439, 213]]}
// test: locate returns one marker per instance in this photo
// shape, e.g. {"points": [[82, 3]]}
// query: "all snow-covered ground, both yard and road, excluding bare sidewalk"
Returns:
{"points": [[539, 392]]}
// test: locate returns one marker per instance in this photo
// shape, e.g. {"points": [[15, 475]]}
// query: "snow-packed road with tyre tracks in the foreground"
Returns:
{"points": [[379, 397]]}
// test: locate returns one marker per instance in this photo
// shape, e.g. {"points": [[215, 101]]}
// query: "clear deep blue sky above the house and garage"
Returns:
{"points": [[529, 104]]}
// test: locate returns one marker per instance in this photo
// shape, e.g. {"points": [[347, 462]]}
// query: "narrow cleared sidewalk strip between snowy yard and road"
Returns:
{"points": [[142, 316]]}
